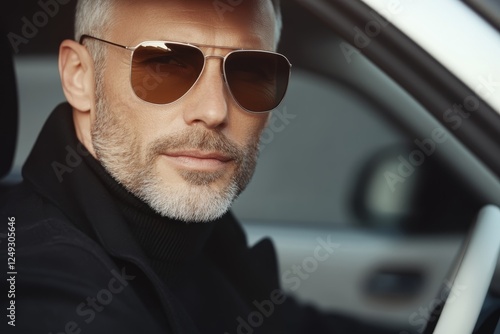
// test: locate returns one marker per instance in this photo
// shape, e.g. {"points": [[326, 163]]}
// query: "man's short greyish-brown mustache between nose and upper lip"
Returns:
{"points": [[198, 139]]}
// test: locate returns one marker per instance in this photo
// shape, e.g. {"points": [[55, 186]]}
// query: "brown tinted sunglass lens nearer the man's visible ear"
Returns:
{"points": [[164, 74]]}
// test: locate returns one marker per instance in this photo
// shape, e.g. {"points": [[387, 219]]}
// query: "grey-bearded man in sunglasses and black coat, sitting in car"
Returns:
{"points": [[121, 221]]}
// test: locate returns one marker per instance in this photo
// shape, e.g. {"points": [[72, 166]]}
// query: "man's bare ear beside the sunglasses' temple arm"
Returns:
{"points": [[76, 69]]}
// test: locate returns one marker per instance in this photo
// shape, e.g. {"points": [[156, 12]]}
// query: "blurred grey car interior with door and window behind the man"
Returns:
{"points": [[358, 153]]}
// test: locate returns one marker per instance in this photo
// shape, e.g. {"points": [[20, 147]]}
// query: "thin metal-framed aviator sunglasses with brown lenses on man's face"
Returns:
{"points": [[162, 72]]}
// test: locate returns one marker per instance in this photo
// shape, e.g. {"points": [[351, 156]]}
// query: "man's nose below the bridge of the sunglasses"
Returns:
{"points": [[209, 99]]}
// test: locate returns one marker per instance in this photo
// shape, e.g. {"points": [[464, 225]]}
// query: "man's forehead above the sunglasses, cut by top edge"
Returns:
{"points": [[246, 24]]}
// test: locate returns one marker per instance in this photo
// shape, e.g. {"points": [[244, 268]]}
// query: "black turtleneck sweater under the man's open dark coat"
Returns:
{"points": [[175, 251]]}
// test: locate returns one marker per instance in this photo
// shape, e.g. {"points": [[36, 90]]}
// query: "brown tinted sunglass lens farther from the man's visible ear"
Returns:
{"points": [[257, 80]]}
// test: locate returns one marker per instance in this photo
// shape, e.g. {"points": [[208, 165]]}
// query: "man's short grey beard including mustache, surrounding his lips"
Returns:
{"points": [[118, 150]]}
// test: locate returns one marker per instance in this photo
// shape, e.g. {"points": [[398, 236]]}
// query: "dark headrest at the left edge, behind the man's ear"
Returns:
{"points": [[9, 109]]}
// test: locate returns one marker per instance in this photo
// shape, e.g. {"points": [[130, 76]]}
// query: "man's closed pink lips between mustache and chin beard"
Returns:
{"points": [[198, 160]]}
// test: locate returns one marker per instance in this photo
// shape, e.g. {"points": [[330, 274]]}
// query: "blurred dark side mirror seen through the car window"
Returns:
{"points": [[400, 188]]}
